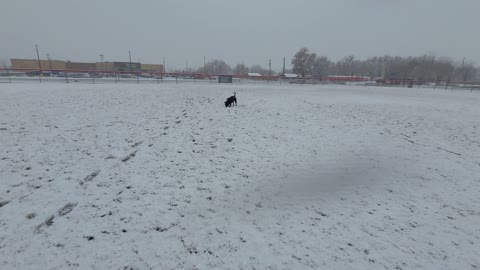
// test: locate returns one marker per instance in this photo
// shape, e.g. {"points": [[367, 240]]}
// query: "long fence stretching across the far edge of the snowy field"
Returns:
{"points": [[100, 76]]}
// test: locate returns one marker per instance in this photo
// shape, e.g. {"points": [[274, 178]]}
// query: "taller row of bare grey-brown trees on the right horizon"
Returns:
{"points": [[426, 67]]}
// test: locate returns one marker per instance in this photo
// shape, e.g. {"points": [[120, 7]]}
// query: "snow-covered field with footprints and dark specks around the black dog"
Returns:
{"points": [[294, 177]]}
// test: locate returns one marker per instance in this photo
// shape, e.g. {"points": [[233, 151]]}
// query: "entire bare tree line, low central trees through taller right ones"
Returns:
{"points": [[308, 64]]}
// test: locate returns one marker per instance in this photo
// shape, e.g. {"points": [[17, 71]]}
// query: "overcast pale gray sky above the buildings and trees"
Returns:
{"points": [[252, 31]]}
